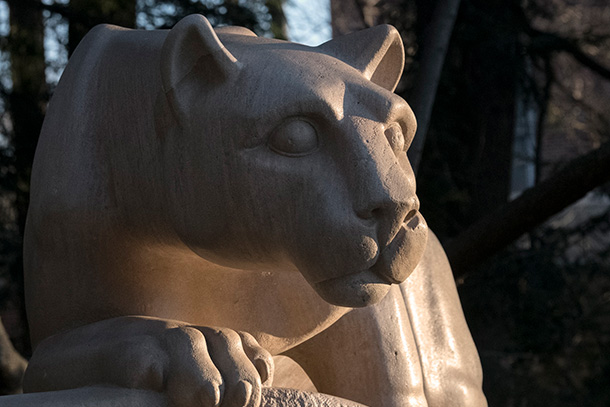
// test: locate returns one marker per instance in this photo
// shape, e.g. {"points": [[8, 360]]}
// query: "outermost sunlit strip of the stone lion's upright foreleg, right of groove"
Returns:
{"points": [[449, 360]]}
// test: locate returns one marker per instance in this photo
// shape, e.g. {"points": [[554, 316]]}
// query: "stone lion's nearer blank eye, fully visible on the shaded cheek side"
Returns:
{"points": [[294, 138]]}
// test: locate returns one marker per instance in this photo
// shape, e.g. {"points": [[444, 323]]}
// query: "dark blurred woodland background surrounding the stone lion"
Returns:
{"points": [[512, 157]]}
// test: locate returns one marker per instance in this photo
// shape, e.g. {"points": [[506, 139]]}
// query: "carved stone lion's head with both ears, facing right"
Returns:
{"points": [[280, 156]]}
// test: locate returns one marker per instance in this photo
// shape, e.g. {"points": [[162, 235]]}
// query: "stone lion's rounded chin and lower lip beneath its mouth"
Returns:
{"points": [[354, 290]]}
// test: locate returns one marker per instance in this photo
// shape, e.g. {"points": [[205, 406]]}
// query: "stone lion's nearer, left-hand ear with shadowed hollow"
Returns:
{"points": [[192, 46]]}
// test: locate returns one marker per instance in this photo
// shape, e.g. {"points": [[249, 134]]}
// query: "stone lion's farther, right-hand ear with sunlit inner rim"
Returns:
{"points": [[376, 52]]}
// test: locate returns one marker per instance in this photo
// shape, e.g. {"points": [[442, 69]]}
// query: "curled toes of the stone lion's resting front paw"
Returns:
{"points": [[215, 367]]}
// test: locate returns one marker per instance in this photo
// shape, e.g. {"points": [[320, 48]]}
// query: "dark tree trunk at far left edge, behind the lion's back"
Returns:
{"points": [[26, 103]]}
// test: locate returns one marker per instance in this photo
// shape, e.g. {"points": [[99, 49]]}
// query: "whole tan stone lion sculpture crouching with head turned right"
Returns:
{"points": [[203, 201]]}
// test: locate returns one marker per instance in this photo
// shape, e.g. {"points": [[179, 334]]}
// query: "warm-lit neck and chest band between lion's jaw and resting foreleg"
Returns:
{"points": [[112, 273]]}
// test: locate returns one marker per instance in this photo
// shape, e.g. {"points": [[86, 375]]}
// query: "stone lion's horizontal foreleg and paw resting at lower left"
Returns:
{"points": [[192, 365]]}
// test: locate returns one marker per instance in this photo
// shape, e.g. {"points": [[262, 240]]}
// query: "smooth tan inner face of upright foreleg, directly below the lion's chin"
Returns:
{"points": [[368, 356]]}
